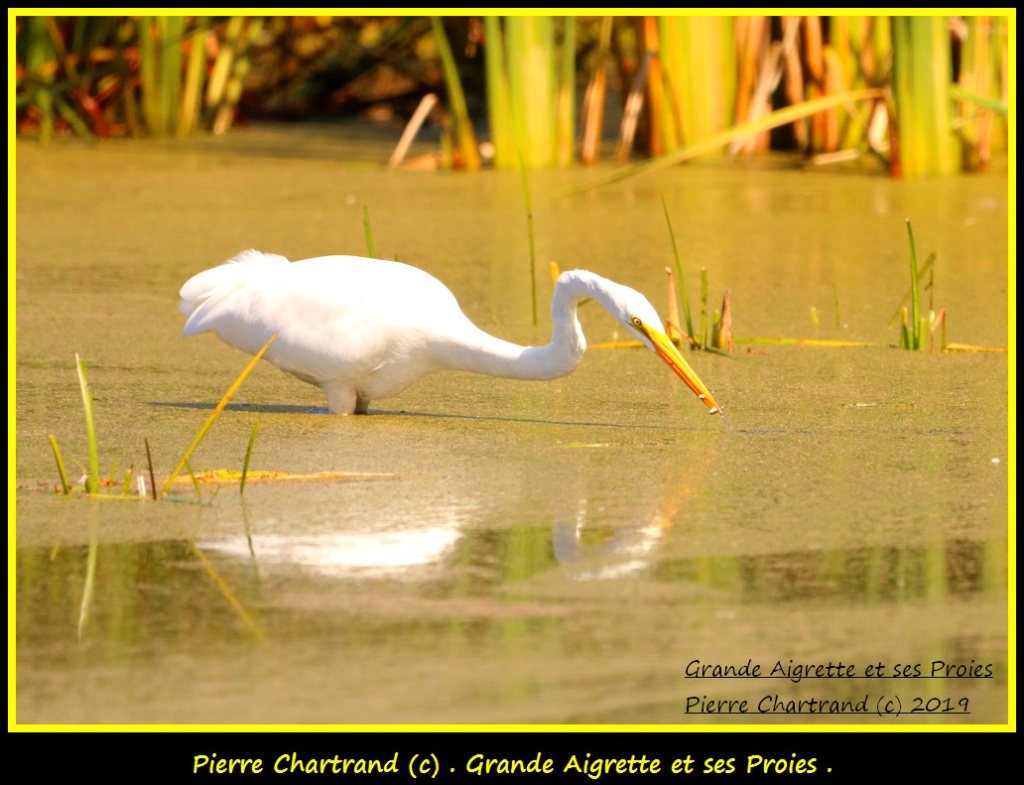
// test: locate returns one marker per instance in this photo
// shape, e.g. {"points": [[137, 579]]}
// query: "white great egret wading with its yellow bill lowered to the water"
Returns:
{"points": [[364, 329]]}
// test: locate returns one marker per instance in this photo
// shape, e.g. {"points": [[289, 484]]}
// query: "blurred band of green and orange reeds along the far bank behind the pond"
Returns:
{"points": [[925, 95]]}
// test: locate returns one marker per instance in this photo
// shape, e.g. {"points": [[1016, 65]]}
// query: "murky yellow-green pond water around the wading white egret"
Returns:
{"points": [[557, 552]]}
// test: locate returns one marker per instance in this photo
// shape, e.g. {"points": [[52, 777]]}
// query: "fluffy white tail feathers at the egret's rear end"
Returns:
{"points": [[204, 293]]}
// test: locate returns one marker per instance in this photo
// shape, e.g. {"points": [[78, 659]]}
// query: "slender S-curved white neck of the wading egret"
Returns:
{"points": [[487, 355]]}
